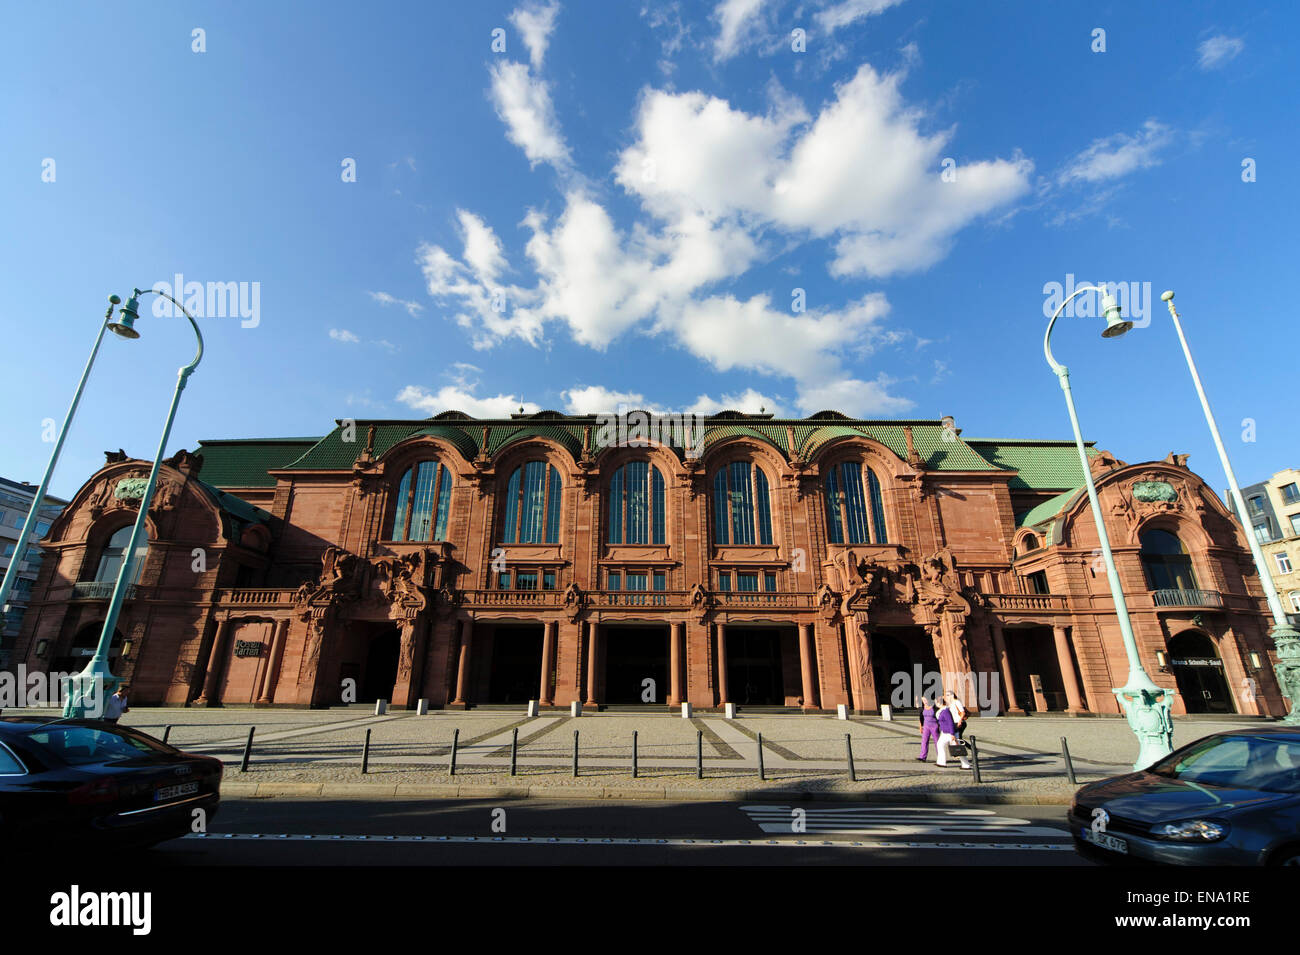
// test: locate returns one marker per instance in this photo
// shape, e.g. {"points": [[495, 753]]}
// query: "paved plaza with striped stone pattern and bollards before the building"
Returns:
{"points": [[319, 753]]}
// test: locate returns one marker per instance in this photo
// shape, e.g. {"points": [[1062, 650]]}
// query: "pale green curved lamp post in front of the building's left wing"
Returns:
{"points": [[86, 691]]}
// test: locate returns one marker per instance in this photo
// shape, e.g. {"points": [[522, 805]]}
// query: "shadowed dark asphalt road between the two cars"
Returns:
{"points": [[536, 832]]}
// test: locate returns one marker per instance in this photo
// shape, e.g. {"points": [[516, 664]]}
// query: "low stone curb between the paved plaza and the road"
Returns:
{"points": [[371, 791]]}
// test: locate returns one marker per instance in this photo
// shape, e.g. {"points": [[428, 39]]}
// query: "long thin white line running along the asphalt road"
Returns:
{"points": [[599, 841]]}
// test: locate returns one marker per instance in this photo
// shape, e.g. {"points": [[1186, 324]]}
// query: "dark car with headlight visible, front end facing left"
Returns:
{"points": [[1228, 800]]}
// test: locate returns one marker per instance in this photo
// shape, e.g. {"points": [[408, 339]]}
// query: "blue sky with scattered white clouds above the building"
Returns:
{"points": [[621, 206]]}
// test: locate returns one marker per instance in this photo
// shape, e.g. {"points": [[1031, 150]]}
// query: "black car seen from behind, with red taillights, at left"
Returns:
{"points": [[96, 783]]}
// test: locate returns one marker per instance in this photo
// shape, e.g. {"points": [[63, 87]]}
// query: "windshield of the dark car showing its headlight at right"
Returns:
{"points": [[1263, 763]]}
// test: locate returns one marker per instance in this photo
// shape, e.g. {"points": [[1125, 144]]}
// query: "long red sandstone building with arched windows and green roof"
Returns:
{"points": [[791, 563]]}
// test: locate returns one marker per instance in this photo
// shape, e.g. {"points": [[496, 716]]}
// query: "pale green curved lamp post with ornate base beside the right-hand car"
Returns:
{"points": [[1146, 706]]}
